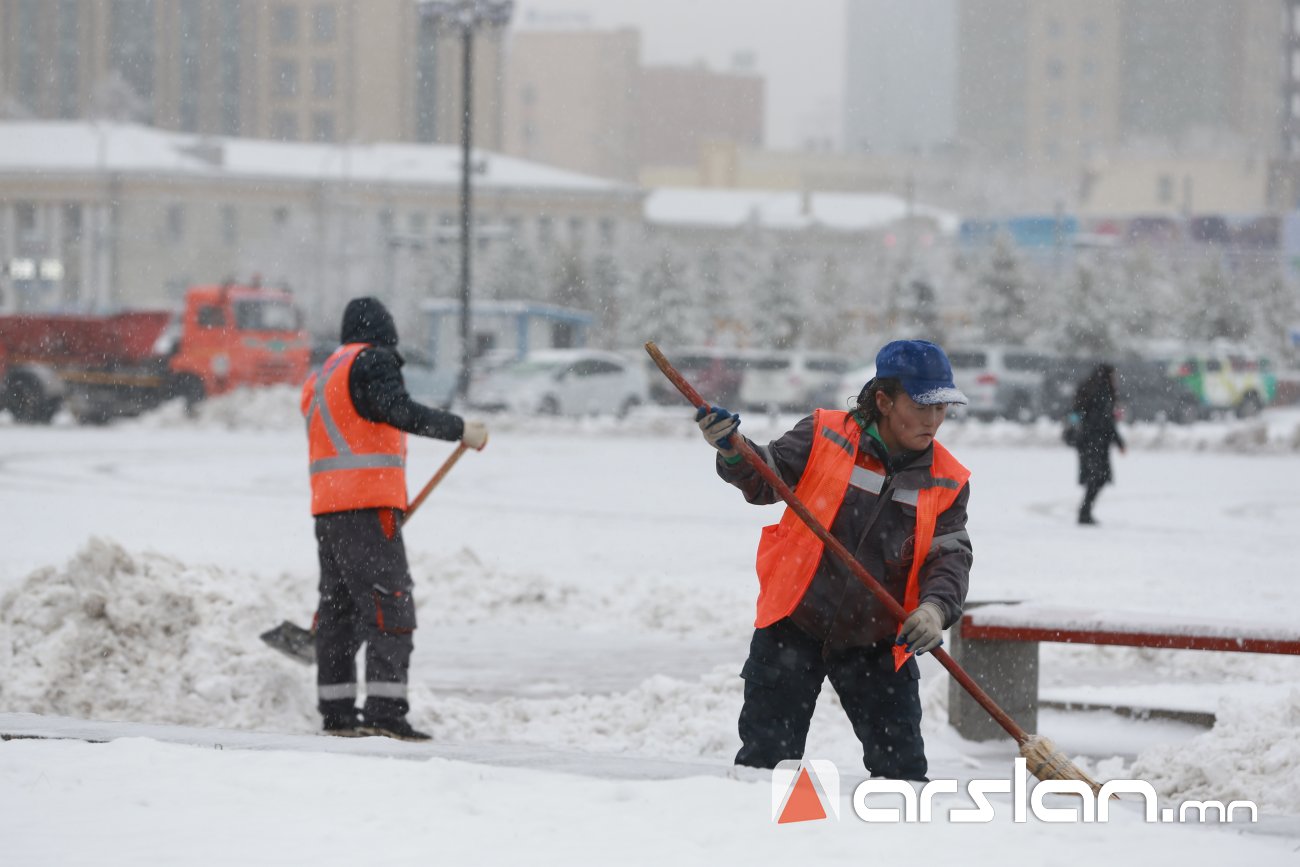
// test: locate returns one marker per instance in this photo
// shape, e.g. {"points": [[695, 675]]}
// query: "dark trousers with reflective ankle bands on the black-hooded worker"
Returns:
{"points": [[365, 599]]}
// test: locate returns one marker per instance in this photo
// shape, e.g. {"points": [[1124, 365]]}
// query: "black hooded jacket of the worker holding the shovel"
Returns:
{"points": [[376, 384]]}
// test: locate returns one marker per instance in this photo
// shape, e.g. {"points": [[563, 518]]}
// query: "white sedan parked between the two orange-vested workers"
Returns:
{"points": [[570, 383]]}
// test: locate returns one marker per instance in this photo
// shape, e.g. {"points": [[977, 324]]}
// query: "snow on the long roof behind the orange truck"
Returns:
{"points": [[79, 148]]}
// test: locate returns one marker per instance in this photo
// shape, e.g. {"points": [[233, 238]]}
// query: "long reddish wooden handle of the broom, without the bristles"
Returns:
{"points": [[837, 548]]}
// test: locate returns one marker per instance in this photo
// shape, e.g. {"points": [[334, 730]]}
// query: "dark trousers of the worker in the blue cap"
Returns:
{"points": [[783, 678]]}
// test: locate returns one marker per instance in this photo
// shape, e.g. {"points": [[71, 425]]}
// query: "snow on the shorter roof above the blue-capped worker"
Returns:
{"points": [[786, 210]]}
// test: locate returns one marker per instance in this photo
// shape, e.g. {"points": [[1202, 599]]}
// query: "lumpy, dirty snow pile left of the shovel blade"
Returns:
{"points": [[146, 639]]}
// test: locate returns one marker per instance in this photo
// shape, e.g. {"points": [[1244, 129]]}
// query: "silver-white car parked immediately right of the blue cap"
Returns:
{"points": [[1002, 382]]}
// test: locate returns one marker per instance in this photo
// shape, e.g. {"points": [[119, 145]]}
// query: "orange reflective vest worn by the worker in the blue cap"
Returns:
{"points": [[790, 553]]}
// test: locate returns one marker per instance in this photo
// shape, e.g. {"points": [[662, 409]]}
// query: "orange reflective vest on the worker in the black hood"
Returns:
{"points": [[354, 463]]}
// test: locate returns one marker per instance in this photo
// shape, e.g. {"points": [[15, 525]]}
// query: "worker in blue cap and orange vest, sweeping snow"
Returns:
{"points": [[877, 478]]}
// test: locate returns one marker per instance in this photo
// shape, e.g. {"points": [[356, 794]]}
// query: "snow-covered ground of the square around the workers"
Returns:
{"points": [[586, 595]]}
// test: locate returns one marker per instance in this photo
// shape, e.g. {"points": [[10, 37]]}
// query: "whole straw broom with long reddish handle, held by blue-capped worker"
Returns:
{"points": [[1043, 758]]}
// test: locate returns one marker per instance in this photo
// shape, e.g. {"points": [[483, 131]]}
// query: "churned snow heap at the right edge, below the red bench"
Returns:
{"points": [[1253, 753]]}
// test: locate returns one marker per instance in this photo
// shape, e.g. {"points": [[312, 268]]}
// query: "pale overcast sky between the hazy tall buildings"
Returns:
{"points": [[798, 47]]}
